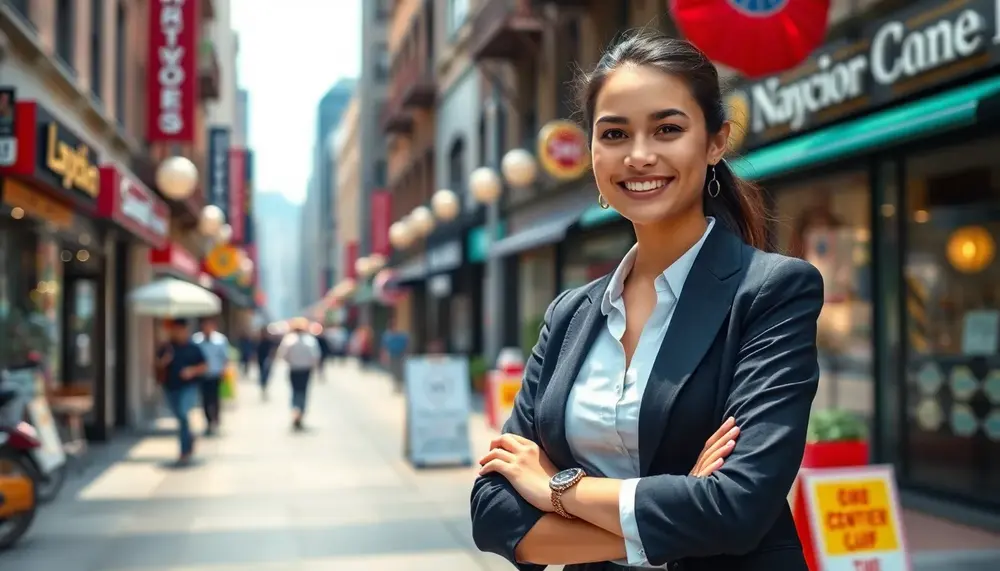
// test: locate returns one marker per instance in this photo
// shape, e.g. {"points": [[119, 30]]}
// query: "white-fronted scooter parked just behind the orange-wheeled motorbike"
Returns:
{"points": [[48, 460]]}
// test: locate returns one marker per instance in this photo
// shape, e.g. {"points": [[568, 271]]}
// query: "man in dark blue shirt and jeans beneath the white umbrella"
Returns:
{"points": [[179, 364]]}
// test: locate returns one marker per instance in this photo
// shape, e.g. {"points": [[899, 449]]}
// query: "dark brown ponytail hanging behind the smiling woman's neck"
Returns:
{"points": [[739, 206]]}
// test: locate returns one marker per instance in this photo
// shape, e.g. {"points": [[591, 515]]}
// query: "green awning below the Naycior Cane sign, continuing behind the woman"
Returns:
{"points": [[950, 110]]}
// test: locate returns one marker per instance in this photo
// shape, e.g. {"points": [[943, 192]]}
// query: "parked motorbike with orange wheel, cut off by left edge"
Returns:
{"points": [[18, 493]]}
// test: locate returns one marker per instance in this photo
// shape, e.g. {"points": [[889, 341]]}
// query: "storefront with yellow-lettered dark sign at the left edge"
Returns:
{"points": [[60, 262]]}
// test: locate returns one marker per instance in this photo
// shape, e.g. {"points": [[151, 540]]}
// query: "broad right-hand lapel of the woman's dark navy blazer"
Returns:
{"points": [[704, 304]]}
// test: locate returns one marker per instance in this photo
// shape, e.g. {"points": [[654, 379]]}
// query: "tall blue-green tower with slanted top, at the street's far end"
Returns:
{"points": [[319, 218]]}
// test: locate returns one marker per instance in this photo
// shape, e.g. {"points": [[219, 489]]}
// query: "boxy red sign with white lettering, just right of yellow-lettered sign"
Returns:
{"points": [[133, 206]]}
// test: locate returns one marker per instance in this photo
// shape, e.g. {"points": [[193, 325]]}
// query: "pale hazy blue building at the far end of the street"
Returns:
{"points": [[275, 240]]}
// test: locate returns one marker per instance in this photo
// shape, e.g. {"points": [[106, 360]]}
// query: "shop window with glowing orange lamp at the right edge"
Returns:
{"points": [[952, 321]]}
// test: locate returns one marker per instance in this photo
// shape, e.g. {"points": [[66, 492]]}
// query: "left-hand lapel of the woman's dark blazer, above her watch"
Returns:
{"points": [[581, 332]]}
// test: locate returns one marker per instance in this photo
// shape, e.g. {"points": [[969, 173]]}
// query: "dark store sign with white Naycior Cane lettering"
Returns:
{"points": [[915, 49]]}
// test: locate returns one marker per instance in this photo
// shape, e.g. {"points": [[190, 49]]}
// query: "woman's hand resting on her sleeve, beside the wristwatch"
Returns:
{"points": [[525, 466]]}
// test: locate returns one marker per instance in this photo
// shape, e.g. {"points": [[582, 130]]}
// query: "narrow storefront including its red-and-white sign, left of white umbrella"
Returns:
{"points": [[142, 222]]}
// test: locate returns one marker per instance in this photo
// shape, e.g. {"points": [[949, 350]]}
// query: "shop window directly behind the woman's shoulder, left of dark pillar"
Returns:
{"points": [[827, 222]]}
